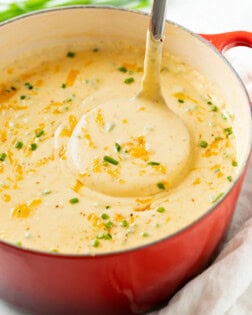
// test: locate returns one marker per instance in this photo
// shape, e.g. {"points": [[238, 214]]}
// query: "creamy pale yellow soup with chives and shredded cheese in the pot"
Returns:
{"points": [[80, 177]]}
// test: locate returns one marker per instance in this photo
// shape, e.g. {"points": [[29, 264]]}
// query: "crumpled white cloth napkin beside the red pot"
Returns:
{"points": [[225, 288]]}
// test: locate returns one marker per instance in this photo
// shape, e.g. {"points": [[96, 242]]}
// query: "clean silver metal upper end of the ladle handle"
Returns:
{"points": [[158, 15]]}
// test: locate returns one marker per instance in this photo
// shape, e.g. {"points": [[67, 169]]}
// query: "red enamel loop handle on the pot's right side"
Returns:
{"points": [[224, 41]]}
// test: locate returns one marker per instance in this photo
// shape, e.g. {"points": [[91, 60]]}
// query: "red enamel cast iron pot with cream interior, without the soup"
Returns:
{"points": [[132, 281]]}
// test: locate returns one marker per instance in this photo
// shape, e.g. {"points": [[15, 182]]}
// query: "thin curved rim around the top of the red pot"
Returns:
{"points": [[188, 226]]}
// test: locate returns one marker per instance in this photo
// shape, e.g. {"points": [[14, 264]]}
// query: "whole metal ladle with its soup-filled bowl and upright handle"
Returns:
{"points": [[148, 155]]}
